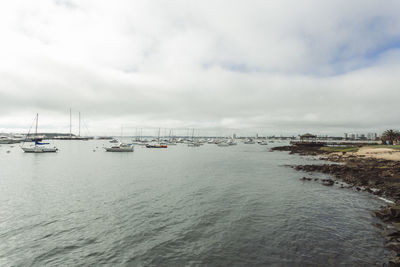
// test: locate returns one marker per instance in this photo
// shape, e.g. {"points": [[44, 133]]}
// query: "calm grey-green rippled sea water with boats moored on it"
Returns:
{"points": [[180, 206]]}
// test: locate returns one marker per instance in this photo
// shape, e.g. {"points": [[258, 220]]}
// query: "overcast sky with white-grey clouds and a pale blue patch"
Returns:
{"points": [[225, 66]]}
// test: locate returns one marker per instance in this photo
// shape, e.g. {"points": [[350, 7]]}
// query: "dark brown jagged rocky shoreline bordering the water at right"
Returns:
{"points": [[377, 176]]}
